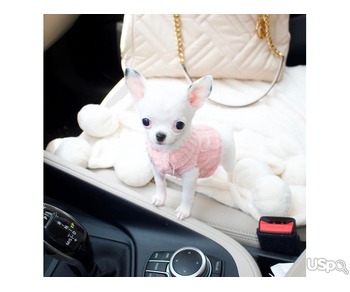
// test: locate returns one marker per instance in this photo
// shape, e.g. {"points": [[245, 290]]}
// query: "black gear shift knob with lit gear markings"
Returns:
{"points": [[67, 240]]}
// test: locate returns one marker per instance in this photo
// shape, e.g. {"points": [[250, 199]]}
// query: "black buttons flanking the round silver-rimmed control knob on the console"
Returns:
{"points": [[159, 261]]}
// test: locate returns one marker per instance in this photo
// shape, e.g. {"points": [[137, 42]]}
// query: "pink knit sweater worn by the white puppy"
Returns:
{"points": [[202, 149]]}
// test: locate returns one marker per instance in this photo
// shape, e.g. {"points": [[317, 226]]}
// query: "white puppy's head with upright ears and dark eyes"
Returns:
{"points": [[166, 112]]}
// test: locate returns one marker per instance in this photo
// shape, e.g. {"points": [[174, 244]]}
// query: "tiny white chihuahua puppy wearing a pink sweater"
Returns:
{"points": [[174, 145]]}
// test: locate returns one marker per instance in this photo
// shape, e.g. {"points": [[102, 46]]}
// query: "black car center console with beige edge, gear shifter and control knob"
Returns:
{"points": [[92, 228]]}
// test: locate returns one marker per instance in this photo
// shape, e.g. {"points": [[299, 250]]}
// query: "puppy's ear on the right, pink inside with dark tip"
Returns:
{"points": [[199, 91]]}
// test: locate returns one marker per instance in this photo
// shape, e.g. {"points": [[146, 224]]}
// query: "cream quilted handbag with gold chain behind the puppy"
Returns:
{"points": [[228, 47]]}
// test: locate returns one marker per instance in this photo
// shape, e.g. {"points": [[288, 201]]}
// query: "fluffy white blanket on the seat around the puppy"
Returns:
{"points": [[269, 176]]}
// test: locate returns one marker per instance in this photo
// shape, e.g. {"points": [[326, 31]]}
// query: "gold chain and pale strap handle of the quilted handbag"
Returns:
{"points": [[262, 31]]}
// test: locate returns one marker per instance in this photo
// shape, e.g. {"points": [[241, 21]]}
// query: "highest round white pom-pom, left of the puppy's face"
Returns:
{"points": [[97, 121]]}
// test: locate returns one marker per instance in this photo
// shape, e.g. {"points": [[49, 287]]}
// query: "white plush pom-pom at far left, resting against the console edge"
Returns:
{"points": [[74, 150]]}
